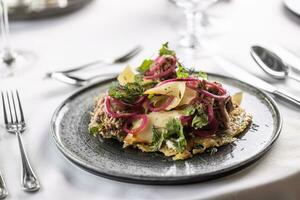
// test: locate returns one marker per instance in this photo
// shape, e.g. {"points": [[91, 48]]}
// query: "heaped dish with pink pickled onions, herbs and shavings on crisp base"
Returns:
{"points": [[168, 108]]}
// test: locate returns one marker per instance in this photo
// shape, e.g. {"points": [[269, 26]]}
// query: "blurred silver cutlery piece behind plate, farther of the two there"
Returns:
{"points": [[120, 59]]}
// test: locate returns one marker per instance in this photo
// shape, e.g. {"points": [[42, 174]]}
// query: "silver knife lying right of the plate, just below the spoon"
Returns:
{"points": [[249, 78]]}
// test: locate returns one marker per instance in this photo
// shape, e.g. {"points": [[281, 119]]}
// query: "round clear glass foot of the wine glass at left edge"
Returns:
{"points": [[21, 63]]}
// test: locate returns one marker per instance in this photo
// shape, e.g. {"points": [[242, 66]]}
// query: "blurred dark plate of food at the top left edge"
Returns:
{"points": [[28, 9]]}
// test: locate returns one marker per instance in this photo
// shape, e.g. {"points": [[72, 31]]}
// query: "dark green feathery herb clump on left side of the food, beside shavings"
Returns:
{"points": [[127, 93]]}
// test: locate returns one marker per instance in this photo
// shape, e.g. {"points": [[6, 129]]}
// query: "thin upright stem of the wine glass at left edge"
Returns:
{"points": [[7, 52]]}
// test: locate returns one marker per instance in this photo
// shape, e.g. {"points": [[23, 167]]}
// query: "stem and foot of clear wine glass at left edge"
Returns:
{"points": [[12, 61]]}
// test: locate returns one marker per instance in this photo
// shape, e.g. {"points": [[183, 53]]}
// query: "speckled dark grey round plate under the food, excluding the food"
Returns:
{"points": [[107, 157]]}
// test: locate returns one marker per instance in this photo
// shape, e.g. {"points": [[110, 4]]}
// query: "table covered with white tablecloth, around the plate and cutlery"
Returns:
{"points": [[107, 28]]}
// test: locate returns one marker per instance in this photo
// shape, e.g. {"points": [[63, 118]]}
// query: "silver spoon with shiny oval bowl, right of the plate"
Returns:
{"points": [[272, 64]]}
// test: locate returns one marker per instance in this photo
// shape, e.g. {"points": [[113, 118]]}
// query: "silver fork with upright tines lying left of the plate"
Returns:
{"points": [[15, 123]]}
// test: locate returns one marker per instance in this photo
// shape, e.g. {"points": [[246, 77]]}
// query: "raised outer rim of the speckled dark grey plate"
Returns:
{"points": [[165, 180]]}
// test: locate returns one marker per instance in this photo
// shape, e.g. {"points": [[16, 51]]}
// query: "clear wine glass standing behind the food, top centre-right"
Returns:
{"points": [[194, 11]]}
